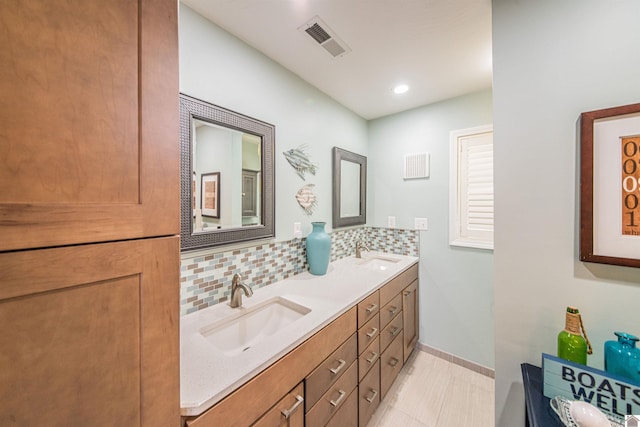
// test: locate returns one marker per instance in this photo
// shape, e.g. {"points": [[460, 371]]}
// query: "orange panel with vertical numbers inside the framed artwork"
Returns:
{"points": [[631, 185]]}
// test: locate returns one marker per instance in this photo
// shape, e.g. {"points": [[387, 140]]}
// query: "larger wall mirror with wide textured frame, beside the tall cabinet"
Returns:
{"points": [[227, 176]]}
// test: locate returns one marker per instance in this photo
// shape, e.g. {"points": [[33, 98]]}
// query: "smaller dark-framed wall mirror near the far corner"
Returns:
{"points": [[349, 188]]}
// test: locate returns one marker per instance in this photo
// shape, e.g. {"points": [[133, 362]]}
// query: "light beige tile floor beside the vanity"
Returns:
{"points": [[432, 392]]}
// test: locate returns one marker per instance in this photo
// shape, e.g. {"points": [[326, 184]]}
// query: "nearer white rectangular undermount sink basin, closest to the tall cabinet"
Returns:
{"points": [[243, 330]]}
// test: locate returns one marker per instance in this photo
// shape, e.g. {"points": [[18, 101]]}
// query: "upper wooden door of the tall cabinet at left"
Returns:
{"points": [[89, 114]]}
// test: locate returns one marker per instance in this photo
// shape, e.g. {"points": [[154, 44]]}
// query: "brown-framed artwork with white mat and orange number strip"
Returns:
{"points": [[610, 186]]}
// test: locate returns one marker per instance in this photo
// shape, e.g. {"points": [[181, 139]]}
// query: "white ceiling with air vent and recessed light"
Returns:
{"points": [[440, 48]]}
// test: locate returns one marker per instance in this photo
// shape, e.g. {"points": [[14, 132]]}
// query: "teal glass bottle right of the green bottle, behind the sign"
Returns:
{"points": [[622, 357]]}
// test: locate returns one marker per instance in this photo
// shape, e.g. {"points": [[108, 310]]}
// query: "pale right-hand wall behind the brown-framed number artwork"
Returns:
{"points": [[553, 60]]}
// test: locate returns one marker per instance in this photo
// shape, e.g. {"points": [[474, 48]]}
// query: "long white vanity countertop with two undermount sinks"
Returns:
{"points": [[224, 347]]}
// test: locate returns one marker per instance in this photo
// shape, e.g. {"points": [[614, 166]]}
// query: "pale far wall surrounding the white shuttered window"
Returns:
{"points": [[456, 284]]}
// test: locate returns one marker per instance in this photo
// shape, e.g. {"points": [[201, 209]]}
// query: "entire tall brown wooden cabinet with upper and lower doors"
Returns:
{"points": [[89, 213]]}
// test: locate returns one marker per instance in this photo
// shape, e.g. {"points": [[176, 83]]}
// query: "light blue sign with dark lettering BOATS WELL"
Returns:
{"points": [[612, 394]]}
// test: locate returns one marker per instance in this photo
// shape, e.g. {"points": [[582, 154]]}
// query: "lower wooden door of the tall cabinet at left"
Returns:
{"points": [[90, 335]]}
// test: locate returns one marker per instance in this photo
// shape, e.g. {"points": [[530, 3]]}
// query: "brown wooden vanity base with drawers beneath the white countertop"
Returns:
{"points": [[346, 368]]}
